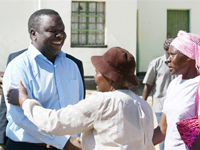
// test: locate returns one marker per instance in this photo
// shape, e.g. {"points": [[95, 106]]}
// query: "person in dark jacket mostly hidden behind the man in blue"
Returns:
{"points": [[3, 109]]}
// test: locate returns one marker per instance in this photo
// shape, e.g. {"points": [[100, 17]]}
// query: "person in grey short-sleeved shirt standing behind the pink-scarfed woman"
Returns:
{"points": [[156, 81]]}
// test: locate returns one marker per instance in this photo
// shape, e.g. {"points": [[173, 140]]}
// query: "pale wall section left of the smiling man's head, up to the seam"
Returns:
{"points": [[14, 36]]}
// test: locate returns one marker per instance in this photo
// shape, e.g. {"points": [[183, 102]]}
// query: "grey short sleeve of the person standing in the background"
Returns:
{"points": [[151, 73]]}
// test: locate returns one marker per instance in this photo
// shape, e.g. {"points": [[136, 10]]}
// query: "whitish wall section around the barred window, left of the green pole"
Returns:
{"points": [[120, 27]]}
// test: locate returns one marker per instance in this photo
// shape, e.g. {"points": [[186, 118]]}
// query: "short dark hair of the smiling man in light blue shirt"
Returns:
{"points": [[35, 20]]}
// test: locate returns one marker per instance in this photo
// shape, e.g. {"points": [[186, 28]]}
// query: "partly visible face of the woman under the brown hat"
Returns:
{"points": [[103, 84]]}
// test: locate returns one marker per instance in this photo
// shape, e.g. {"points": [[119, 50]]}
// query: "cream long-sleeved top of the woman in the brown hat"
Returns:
{"points": [[118, 120]]}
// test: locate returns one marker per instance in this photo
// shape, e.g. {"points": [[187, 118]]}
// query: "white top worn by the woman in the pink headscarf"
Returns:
{"points": [[179, 105]]}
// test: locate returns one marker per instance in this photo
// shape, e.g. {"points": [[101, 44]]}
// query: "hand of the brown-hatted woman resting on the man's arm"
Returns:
{"points": [[17, 96]]}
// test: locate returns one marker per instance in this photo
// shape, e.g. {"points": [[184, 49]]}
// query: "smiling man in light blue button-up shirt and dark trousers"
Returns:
{"points": [[49, 76]]}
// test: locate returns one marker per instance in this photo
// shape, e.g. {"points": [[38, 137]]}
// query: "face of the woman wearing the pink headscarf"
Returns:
{"points": [[177, 62]]}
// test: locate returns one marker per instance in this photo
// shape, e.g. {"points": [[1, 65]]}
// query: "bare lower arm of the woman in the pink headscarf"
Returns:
{"points": [[160, 131]]}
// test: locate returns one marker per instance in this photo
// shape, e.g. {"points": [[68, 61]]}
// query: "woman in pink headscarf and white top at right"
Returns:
{"points": [[180, 100]]}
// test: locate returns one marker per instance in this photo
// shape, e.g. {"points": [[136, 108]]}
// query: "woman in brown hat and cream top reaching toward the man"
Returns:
{"points": [[114, 118]]}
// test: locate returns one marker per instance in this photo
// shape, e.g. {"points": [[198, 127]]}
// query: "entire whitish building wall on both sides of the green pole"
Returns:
{"points": [[120, 27]]}
